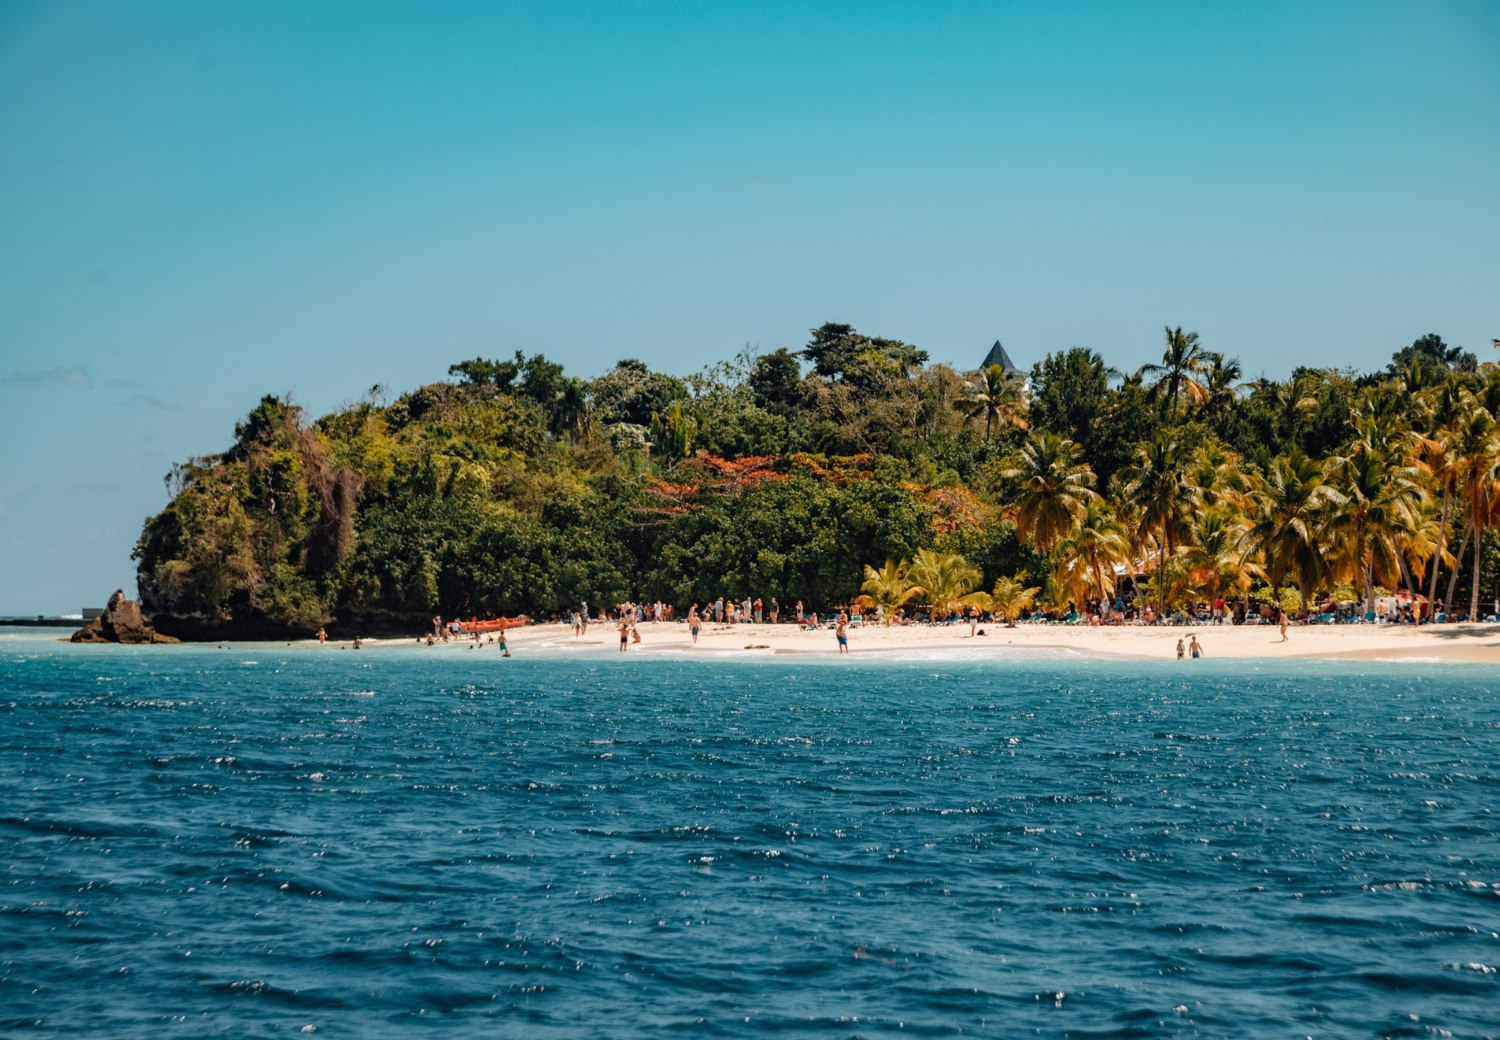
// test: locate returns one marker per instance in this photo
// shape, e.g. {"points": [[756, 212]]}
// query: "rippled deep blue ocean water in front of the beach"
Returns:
{"points": [[265, 841]]}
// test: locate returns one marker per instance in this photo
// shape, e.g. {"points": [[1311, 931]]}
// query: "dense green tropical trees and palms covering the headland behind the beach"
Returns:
{"points": [[850, 469]]}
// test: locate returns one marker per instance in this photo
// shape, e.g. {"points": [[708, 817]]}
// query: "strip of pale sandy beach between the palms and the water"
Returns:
{"points": [[1448, 643]]}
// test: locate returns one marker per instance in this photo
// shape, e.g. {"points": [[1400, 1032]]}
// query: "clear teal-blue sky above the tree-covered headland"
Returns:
{"points": [[206, 202]]}
